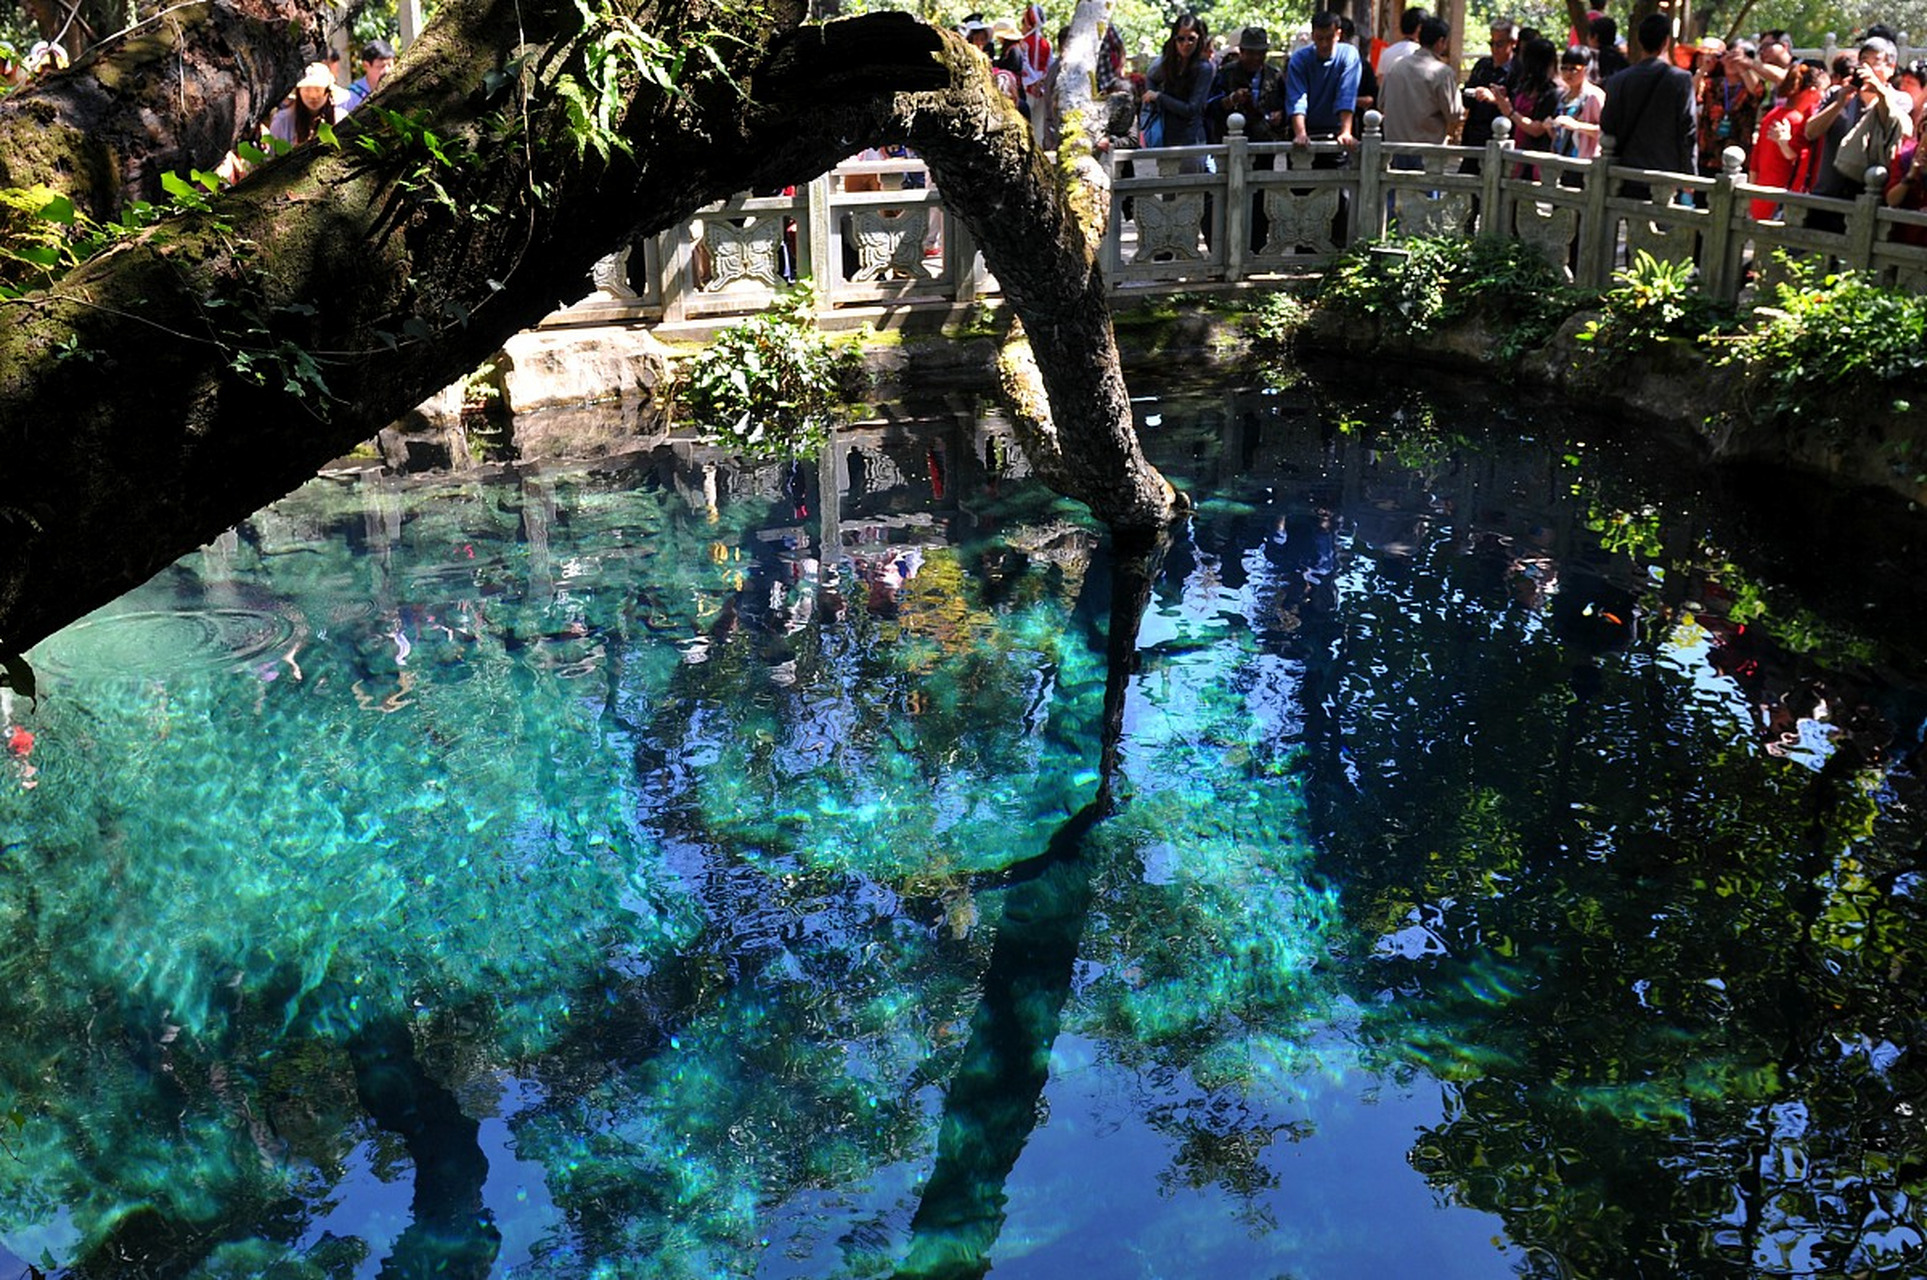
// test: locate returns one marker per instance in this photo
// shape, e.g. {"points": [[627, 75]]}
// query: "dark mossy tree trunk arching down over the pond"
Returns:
{"points": [[209, 365]]}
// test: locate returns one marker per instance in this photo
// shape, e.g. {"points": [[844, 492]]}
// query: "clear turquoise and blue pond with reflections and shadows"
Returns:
{"points": [[1477, 845]]}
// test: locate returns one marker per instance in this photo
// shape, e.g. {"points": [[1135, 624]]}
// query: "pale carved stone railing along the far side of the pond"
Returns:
{"points": [[1236, 217]]}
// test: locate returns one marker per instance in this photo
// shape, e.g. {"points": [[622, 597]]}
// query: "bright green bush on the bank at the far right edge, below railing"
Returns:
{"points": [[1834, 348]]}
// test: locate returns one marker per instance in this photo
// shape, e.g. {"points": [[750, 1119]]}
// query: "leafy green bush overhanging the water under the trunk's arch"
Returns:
{"points": [[766, 388]]}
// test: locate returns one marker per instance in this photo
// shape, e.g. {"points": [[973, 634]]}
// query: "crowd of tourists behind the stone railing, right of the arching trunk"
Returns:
{"points": [[1828, 128]]}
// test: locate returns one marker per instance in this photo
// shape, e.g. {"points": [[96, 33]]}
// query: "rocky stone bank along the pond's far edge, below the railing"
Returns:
{"points": [[581, 394]]}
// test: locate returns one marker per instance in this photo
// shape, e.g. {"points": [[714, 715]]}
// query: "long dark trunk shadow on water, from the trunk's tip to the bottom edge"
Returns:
{"points": [[997, 1092]]}
